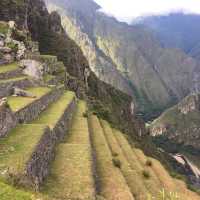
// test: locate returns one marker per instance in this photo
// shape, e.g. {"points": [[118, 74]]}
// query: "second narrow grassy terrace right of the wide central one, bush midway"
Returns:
{"points": [[134, 180]]}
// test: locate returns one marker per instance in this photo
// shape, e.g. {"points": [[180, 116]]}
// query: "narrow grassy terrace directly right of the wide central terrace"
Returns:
{"points": [[111, 182]]}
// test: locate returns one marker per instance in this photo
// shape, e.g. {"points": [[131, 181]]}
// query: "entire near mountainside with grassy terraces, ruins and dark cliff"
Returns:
{"points": [[54, 146]]}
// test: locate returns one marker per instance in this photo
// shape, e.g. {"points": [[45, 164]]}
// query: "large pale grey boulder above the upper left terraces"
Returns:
{"points": [[32, 68]]}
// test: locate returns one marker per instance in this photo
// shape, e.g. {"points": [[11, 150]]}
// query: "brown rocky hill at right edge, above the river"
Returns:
{"points": [[181, 123]]}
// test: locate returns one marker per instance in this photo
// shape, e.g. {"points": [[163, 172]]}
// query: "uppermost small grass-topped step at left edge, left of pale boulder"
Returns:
{"points": [[10, 71]]}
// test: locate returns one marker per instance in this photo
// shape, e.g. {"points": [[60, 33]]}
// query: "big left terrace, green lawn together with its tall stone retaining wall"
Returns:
{"points": [[26, 153]]}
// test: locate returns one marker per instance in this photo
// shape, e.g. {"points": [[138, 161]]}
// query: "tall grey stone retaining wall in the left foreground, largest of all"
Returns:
{"points": [[37, 168]]}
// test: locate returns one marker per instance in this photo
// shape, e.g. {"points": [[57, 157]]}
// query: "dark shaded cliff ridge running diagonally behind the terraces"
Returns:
{"points": [[47, 30]]}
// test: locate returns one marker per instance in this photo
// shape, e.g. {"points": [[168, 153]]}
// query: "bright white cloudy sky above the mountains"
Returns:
{"points": [[127, 10]]}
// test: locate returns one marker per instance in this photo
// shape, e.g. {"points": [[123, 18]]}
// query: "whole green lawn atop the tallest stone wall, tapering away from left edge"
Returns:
{"points": [[16, 149]]}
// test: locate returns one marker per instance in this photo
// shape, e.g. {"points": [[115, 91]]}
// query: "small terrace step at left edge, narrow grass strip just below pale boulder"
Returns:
{"points": [[20, 82]]}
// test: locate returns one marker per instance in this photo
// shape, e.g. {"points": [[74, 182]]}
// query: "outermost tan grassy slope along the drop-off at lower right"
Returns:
{"points": [[159, 177]]}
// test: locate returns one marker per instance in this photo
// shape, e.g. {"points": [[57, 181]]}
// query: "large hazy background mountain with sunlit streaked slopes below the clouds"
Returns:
{"points": [[128, 57]]}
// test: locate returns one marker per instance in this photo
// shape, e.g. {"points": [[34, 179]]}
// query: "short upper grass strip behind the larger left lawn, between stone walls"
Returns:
{"points": [[54, 112]]}
